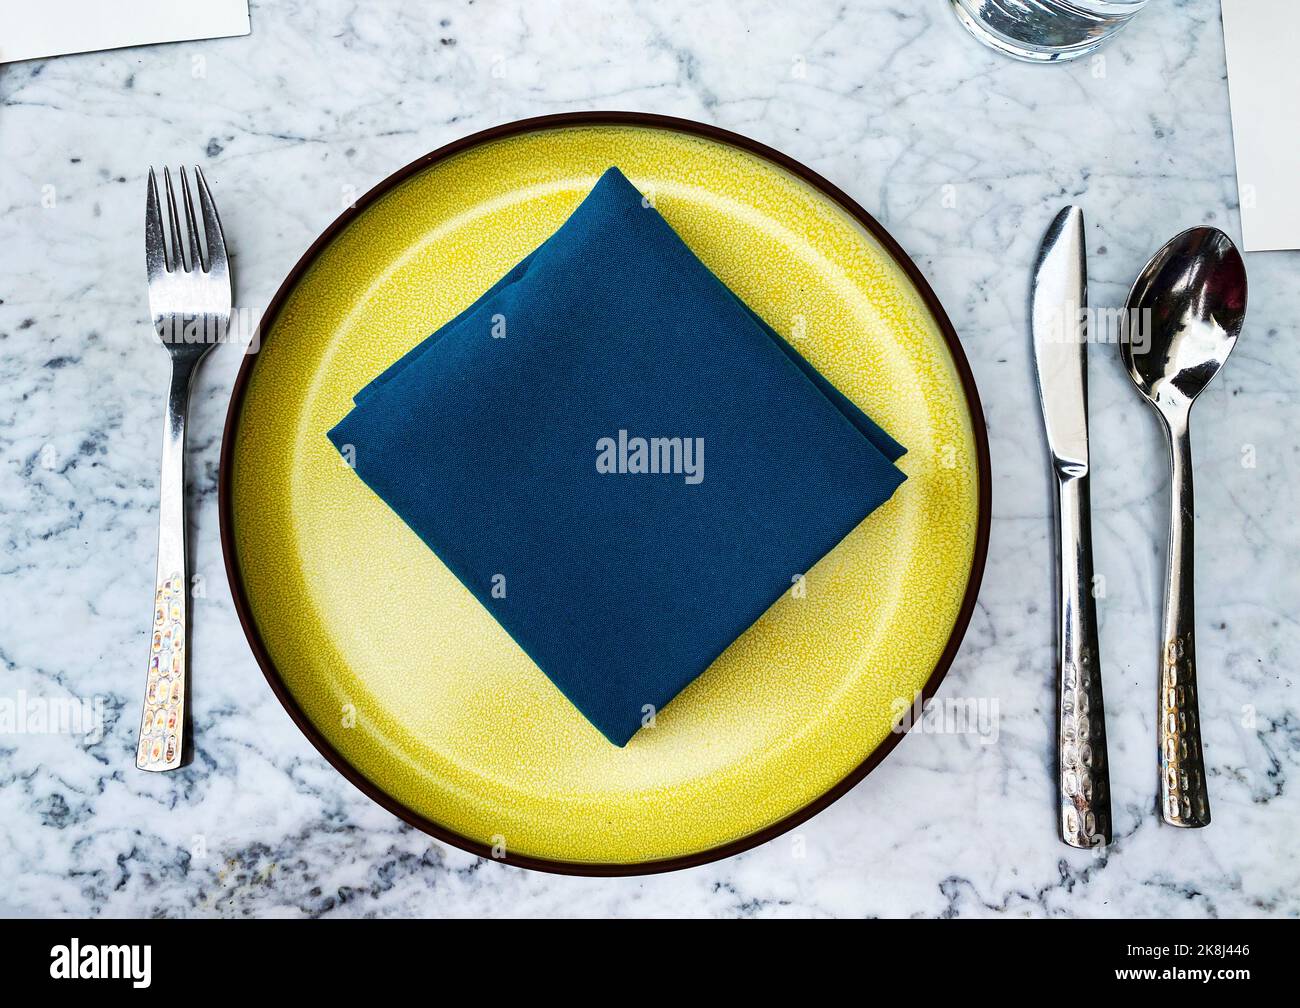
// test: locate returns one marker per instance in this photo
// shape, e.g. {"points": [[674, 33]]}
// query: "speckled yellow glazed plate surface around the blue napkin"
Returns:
{"points": [[414, 683]]}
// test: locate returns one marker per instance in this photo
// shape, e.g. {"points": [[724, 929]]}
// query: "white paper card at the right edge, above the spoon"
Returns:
{"points": [[1264, 89]]}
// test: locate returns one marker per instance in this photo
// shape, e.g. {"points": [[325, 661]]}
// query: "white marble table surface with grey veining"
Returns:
{"points": [[964, 155]]}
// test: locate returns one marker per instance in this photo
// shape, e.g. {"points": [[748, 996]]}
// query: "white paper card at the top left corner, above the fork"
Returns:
{"points": [[32, 29]]}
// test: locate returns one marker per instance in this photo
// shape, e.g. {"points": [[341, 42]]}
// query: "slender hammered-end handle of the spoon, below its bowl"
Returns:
{"points": [[1184, 793]]}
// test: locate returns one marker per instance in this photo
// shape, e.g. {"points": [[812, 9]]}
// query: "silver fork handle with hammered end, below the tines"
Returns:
{"points": [[162, 739]]}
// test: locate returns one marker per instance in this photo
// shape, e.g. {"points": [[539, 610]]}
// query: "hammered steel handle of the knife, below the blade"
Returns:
{"points": [[1084, 777]]}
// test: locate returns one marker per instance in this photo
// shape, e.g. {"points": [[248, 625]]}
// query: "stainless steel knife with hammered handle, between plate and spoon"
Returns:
{"points": [[1059, 321]]}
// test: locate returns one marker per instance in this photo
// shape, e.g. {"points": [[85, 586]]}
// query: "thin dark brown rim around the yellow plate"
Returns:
{"points": [[560, 122]]}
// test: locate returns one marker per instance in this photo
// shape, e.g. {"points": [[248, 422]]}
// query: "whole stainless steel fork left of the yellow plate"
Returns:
{"points": [[190, 304]]}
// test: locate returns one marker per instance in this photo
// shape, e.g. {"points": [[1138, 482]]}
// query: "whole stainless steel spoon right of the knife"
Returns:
{"points": [[1185, 313]]}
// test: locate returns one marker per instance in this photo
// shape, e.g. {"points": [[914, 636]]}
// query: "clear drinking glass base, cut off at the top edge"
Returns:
{"points": [[1046, 31]]}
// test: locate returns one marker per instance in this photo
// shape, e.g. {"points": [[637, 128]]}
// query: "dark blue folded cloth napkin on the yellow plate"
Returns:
{"points": [[618, 458]]}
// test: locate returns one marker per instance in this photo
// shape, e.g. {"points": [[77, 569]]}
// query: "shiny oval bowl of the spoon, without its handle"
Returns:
{"points": [[1185, 314]]}
